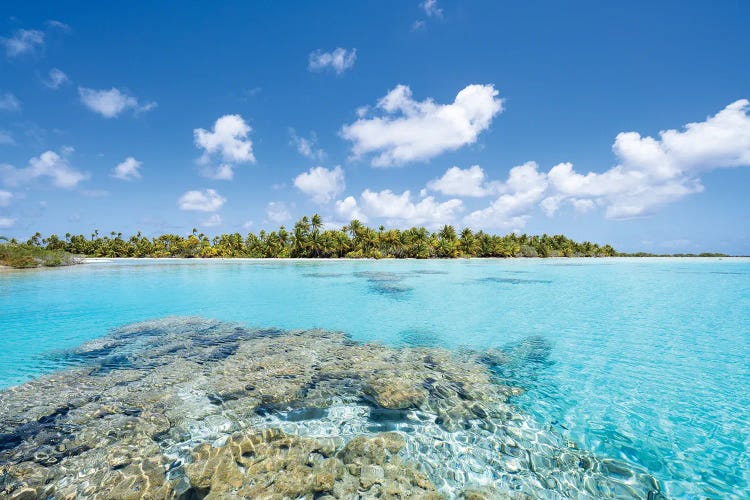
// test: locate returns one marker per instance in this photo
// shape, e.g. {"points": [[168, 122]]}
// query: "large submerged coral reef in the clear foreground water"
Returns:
{"points": [[194, 408]]}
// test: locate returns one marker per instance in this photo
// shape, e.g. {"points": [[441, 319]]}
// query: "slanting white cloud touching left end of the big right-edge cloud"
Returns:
{"points": [[523, 189]]}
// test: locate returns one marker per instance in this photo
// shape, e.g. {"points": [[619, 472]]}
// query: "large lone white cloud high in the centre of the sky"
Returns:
{"points": [[410, 130]]}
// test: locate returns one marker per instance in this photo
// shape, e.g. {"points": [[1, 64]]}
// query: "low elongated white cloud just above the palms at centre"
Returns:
{"points": [[398, 209]]}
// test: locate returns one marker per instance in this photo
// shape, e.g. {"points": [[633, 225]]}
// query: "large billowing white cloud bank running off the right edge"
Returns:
{"points": [[653, 172]]}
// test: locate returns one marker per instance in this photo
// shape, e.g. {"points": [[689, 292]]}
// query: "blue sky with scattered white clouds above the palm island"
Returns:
{"points": [[615, 122]]}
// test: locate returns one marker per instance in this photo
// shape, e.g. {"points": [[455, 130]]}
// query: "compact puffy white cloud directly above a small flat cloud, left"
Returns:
{"points": [[229, 142]]}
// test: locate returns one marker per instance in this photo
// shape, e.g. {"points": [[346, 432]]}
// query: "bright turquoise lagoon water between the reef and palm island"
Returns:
{"points": [[650, 359]]}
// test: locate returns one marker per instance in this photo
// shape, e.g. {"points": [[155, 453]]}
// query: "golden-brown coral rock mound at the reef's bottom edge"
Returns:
{"points": [[273, 464]]}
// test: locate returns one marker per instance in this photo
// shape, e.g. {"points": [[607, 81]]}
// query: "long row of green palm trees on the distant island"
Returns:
{"points": [[308, 239]]}
